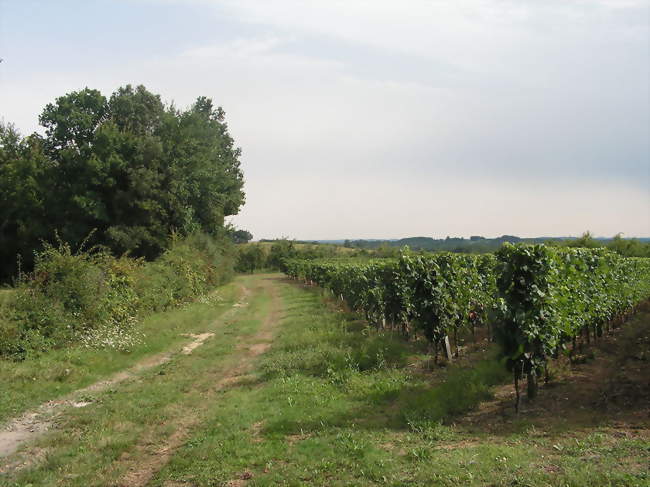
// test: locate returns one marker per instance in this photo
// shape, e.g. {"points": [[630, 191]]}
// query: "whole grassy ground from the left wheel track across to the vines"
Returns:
{"points": [[289, 391]]}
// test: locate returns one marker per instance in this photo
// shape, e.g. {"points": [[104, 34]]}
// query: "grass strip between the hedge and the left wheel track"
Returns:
{"points": [[56, 373]]}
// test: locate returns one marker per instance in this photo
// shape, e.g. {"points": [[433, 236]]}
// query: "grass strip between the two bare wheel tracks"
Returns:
{"points": [[86, 448]]}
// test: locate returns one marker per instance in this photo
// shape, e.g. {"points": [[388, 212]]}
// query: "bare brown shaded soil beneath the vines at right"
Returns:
{"points": [[609, 389]]}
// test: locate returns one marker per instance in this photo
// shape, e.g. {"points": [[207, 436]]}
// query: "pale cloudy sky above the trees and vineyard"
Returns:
{"points": [[376, 118]]}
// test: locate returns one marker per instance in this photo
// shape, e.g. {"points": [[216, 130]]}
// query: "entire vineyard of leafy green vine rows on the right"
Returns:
{"points": [[534, 300]]}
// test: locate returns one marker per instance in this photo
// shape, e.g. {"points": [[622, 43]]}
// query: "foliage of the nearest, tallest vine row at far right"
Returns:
{"points": [[548, 295]]}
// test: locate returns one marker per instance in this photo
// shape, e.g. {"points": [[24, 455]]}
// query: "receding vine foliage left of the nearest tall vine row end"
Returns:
{"points": [[437, 294]]}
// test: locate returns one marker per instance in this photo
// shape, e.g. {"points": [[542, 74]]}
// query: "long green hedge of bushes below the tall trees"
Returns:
{"points": [[70, 295]]}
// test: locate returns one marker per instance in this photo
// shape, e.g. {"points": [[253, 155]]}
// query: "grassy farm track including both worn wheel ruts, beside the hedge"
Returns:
{"points": [[145, 412]]}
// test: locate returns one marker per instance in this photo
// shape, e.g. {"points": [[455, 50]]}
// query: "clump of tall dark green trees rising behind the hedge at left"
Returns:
{"points": [[125, 172]]}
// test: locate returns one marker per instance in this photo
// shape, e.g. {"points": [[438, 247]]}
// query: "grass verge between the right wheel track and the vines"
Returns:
{"points": [[326, 410]]}
